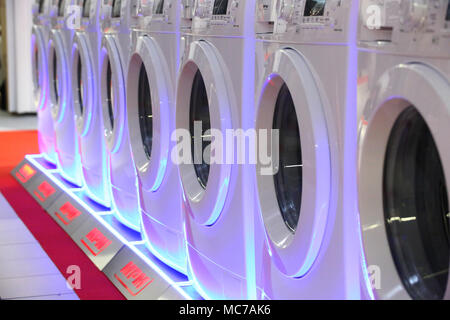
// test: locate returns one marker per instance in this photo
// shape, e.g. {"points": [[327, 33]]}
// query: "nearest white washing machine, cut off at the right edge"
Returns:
{"points": [[403, 149]]}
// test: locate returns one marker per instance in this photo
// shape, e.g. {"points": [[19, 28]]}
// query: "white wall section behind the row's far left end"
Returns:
{"points": [[20, 86]]}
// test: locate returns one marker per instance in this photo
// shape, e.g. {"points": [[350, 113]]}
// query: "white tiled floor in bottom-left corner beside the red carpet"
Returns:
{"points": [[26, 272]]}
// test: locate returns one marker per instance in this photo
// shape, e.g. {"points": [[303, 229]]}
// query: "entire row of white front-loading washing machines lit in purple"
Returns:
{"points": [[357, 91]]}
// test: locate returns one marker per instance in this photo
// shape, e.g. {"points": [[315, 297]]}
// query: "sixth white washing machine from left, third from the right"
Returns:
{"points": [[215, 97]]}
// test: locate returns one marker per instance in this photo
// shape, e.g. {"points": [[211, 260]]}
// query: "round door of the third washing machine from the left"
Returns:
{"points": [[83, 83]]}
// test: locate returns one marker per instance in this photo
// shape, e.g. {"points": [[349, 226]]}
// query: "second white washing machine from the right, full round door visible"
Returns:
{"points": [[306, 222]]}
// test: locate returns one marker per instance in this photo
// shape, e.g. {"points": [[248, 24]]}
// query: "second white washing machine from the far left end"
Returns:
{"points": [[61, 104]]}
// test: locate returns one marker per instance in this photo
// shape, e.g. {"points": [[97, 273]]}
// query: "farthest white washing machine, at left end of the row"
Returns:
{"points": [[39, 40]]}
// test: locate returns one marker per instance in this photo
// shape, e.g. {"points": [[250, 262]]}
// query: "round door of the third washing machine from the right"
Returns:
{"points": [[204, 97]]}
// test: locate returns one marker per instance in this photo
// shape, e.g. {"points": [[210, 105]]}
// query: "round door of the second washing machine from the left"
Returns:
{"points": [[58, 75]]}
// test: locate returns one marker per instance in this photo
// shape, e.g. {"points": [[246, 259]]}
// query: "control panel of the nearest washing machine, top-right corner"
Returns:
{"points": [[415, 26]]}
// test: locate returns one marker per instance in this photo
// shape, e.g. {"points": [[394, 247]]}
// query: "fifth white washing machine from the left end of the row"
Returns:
{"points": [[151, 91]]}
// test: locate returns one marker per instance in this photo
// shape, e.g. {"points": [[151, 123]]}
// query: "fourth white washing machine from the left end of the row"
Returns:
{"points": [[117, 17]]}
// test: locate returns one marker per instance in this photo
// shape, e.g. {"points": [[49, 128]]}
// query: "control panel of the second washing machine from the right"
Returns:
{"points": [[313, 20]]}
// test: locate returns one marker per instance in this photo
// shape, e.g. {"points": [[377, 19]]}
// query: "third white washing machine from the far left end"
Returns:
{"points": [[86, 102]]}
